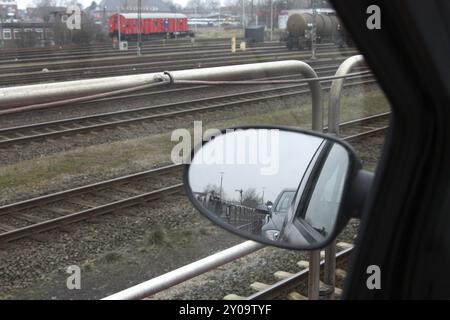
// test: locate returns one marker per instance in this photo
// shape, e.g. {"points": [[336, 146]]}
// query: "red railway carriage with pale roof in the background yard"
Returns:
{"points": [[153, 25]]}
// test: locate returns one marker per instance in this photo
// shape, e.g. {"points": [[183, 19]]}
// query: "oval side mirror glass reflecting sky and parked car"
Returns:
{"points": [[273, 186]]}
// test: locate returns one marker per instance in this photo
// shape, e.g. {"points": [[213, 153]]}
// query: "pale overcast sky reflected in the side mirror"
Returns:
{"points": [[291, 163]]}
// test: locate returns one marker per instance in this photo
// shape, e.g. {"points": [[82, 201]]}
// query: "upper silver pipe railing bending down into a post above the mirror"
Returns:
{"points": [[11, 97]]}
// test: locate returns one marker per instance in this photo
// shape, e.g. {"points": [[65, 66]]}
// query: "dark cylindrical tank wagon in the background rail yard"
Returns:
{"points": [[329, 29]]}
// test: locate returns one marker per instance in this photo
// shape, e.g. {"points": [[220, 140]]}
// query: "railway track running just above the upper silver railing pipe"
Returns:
{"points": [[116, 69]]}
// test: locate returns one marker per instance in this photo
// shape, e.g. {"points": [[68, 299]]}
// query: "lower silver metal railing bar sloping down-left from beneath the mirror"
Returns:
{"points": [[165, 281]]}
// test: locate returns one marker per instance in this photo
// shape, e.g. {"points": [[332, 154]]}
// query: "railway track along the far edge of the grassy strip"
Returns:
{"points": [[79, 125]]}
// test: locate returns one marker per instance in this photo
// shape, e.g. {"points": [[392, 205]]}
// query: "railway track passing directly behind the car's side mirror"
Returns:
{"points": [[31, 217]]}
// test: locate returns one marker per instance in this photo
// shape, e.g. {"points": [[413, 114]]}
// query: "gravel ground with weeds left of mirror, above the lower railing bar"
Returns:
{"points": [[164, 235]]}
